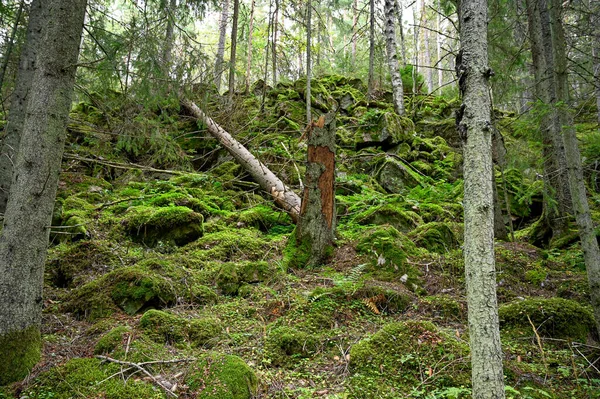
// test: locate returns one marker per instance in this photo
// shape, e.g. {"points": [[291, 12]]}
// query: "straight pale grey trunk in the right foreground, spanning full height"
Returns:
{"points": [[475, 127]]}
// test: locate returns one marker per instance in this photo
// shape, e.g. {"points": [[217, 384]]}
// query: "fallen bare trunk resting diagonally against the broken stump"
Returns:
{"points": [[283, 196]]}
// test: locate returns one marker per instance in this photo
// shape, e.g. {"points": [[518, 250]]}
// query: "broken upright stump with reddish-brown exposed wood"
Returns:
{"points": [[316, 227]]}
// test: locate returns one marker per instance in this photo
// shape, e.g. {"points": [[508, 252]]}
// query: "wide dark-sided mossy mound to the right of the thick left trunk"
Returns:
{"points": [[130, 288]]}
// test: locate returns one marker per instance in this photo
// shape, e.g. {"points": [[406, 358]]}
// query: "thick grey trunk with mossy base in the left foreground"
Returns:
{"points": [[24, 239]]}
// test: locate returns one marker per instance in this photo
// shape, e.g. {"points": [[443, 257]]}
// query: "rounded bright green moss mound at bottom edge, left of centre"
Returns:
{"points": [[219, 376]]}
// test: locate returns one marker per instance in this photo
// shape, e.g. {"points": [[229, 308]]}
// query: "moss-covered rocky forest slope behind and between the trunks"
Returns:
{"points": [[186, 272]]}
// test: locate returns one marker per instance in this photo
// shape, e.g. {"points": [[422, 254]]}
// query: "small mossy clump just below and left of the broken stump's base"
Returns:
{"points": [[232, 276]]}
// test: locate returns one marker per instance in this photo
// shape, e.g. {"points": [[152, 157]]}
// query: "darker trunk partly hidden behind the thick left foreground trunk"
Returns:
{"points": [[20, 96]]}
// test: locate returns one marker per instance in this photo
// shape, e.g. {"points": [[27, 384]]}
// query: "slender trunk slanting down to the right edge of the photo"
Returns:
{"points": [[589, 243]]}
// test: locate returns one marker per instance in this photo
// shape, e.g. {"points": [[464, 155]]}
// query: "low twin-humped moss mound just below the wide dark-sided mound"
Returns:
{"points": [[165, 327]]}
